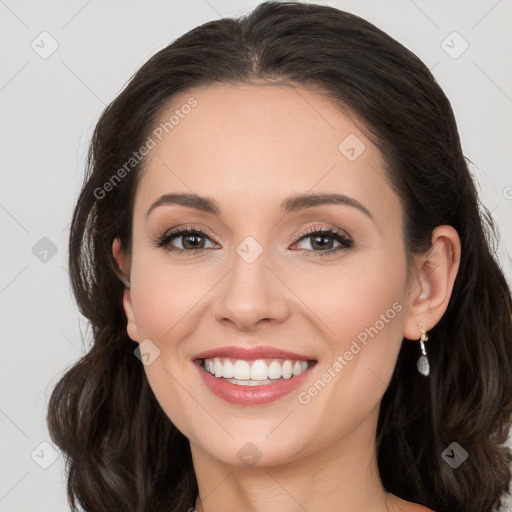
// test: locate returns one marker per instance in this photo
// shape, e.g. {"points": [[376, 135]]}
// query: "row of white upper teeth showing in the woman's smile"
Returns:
{"points": [[256, 372]]}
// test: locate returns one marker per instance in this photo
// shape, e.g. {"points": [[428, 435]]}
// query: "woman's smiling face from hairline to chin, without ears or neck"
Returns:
{"points": [[325, 282]]}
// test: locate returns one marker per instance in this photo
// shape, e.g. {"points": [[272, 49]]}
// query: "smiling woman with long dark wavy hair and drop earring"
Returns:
{"points": [[279, 219]]}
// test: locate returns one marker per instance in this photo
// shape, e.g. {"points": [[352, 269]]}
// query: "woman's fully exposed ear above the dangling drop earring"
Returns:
{"points": [[431, 287]]}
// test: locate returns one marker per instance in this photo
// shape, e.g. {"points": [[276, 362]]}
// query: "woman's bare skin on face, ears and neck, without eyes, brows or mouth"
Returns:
{"points": [[250, 147]]}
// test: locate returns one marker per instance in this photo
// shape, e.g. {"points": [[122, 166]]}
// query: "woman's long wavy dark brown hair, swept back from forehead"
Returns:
{"points": [[121, 451]]}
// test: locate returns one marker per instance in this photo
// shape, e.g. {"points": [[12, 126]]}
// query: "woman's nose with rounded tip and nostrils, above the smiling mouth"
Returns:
{"points": [[252, 295]]}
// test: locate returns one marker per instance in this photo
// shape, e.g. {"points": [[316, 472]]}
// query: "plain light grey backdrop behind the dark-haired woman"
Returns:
{"points": [[62, 62]]}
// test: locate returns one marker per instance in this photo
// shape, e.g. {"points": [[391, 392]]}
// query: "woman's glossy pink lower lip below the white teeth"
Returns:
{"points": [[250, 395]]}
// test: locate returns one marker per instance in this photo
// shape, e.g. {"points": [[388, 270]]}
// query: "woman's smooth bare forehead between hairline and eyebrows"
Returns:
{"points": [[250, 144]]}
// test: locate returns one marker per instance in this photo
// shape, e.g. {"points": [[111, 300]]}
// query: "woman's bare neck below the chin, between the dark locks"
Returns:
{"points": [[342, 476]]}
